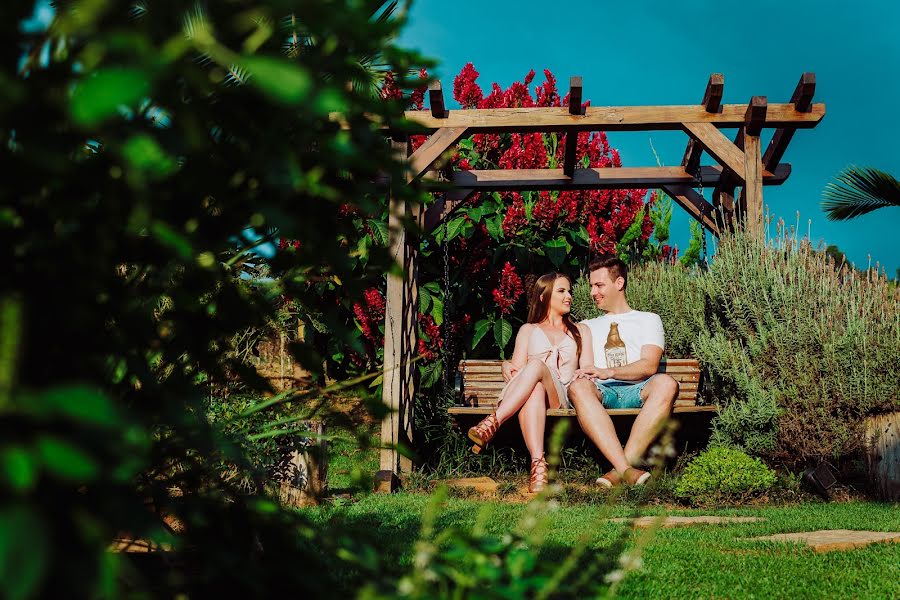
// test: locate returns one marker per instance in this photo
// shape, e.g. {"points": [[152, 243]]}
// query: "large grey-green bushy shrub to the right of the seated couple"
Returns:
{"points": [[797, 353]]}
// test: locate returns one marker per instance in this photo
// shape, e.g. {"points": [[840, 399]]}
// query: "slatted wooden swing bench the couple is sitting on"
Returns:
{"points": [[480, 381]]}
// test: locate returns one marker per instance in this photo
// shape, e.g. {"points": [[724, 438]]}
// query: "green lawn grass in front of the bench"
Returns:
{"points": [[706, 561]]}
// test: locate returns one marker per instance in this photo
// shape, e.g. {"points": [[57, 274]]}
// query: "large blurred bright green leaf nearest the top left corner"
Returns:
{"points": [[100, 95]]}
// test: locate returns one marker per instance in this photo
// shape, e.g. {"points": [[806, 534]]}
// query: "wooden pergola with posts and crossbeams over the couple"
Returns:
{"points": [[740, 164]]}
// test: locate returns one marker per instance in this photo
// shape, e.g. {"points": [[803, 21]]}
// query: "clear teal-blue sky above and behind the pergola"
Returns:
{"points": [[653, 52]]}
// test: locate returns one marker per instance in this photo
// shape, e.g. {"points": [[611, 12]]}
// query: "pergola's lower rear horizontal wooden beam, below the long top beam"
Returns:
{"points": [[595, 178]]}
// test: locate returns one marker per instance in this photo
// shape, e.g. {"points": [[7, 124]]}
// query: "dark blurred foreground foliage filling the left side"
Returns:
{"points": [[143, 150]]}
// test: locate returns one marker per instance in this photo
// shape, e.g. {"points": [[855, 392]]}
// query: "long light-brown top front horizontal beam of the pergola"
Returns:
{"points": [[606, 118]]}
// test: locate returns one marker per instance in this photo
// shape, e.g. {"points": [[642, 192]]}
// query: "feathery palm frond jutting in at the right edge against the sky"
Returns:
{"points": [[859, 190]]}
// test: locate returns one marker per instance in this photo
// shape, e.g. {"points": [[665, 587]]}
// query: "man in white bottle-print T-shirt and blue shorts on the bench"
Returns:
{"points": [[628, 345]]}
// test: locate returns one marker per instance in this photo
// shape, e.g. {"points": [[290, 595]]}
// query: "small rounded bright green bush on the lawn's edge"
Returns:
{"points": [[723, 476]]}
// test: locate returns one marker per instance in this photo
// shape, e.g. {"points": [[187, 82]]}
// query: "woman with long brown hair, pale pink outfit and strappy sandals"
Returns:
{"points": [[549, 348]]}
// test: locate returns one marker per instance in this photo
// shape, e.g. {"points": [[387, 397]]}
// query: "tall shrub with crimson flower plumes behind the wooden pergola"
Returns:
{"points": [[498, 238]]}
